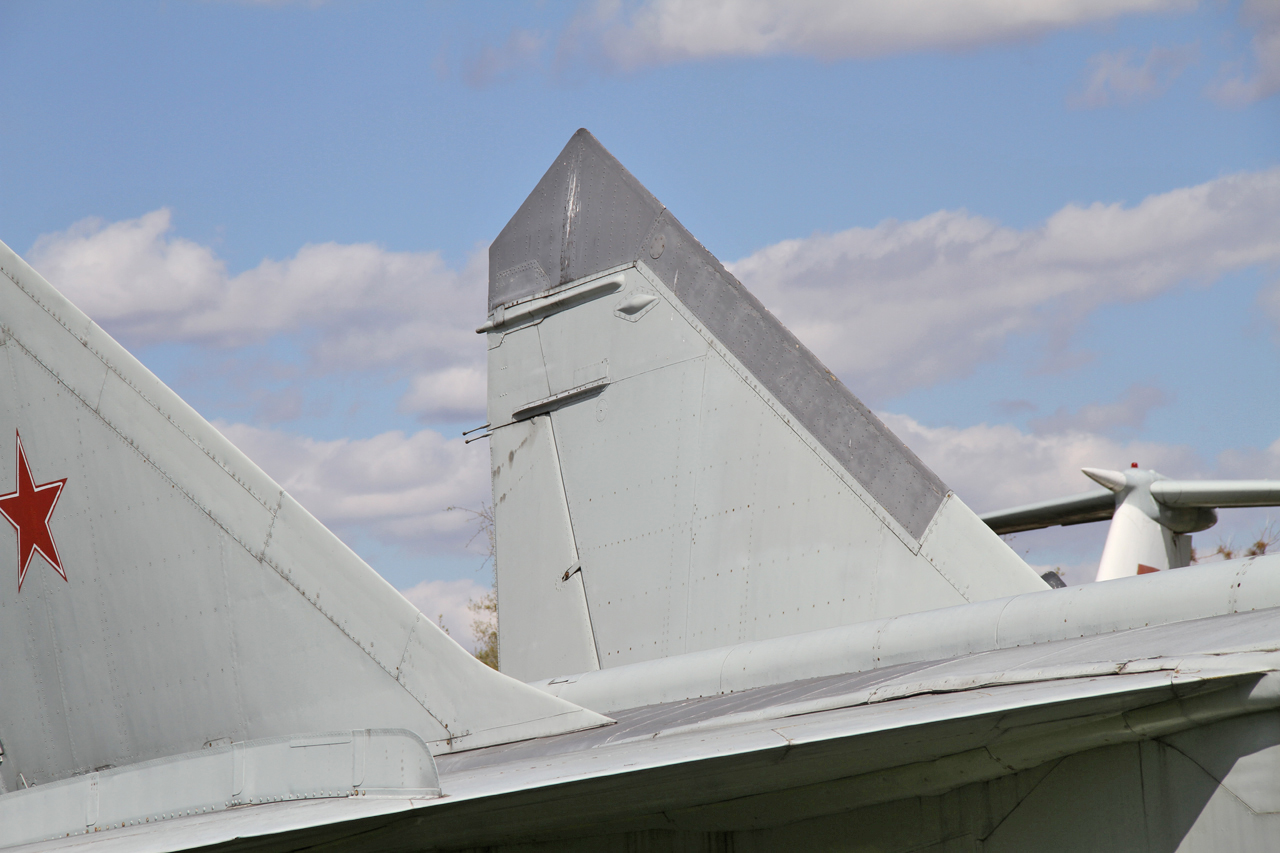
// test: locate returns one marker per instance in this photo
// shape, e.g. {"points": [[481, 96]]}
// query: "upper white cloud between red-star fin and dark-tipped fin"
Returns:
{"points": [[358, 307]]}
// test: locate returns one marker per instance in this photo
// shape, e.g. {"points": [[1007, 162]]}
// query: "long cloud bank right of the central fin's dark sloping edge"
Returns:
{"points": [[912, 304]]}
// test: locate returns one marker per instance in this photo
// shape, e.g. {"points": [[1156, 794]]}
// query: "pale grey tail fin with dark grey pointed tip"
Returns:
{"points": [[673, 469]]}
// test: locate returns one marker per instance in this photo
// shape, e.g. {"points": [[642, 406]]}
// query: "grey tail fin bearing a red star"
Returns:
{"points": [[202, 604]]}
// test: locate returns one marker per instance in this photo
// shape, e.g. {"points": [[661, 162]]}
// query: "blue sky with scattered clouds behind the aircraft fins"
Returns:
{"points": [[1032, 235]]}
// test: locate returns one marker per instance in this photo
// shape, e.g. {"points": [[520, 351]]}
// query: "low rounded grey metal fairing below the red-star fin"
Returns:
{"points": [[218, 778]]}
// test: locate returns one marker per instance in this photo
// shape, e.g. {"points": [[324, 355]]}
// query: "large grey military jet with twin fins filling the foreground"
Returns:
{"points": [[735, 610]]}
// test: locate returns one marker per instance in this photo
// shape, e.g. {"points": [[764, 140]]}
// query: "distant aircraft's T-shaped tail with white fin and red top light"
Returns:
{"points": [[1153, 517]]}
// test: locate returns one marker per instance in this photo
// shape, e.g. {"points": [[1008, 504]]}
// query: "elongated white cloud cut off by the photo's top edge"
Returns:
{"points": [[666, 31]]}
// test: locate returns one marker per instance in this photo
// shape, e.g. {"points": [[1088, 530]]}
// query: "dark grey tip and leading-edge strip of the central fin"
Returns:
{"points": [[588, 215]]}
